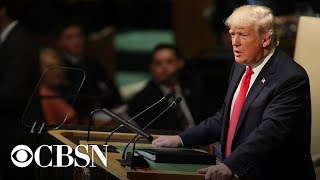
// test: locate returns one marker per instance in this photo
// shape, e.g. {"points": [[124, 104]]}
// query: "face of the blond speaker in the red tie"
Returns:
{"points": [[248, 45]]}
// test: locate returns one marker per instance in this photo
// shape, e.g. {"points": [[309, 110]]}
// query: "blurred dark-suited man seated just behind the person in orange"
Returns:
{"points": [[98, 91]]}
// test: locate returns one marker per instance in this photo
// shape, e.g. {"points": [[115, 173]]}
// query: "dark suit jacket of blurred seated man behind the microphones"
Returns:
{"points": [[169, 121]]}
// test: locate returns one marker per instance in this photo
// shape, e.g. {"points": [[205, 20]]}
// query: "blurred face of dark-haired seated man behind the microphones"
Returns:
{"points": [[165, 65]]}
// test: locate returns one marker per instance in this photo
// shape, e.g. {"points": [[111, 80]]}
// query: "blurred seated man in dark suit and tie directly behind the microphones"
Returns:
{"points": [[166, 67]]}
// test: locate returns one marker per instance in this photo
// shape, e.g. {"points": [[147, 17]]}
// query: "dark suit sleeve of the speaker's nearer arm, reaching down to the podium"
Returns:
{"points": [[284, 115]]}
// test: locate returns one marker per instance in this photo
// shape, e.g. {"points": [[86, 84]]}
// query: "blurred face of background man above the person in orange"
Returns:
{"points": [[72, 40]]}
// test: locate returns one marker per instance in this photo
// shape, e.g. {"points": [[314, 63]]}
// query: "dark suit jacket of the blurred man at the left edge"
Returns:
{"points": [[19, 73]]}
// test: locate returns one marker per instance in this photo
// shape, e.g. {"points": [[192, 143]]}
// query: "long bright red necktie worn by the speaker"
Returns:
{"points": [[245, 83]]}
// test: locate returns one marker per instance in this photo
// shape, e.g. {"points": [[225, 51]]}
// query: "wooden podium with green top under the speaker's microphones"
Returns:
{"points": [[73, 138]]}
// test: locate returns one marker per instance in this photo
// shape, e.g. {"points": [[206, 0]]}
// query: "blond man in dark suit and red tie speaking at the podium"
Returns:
{"points": [[264, 124]]}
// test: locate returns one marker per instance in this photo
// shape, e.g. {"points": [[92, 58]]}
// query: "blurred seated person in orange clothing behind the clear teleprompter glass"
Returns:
{"points": [[55, 108]]}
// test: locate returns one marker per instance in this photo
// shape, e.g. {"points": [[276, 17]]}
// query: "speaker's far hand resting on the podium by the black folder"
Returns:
{"points": [[168, 141]]}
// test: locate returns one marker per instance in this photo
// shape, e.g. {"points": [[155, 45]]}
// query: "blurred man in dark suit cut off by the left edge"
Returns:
{"points": [[19, 61]]}
